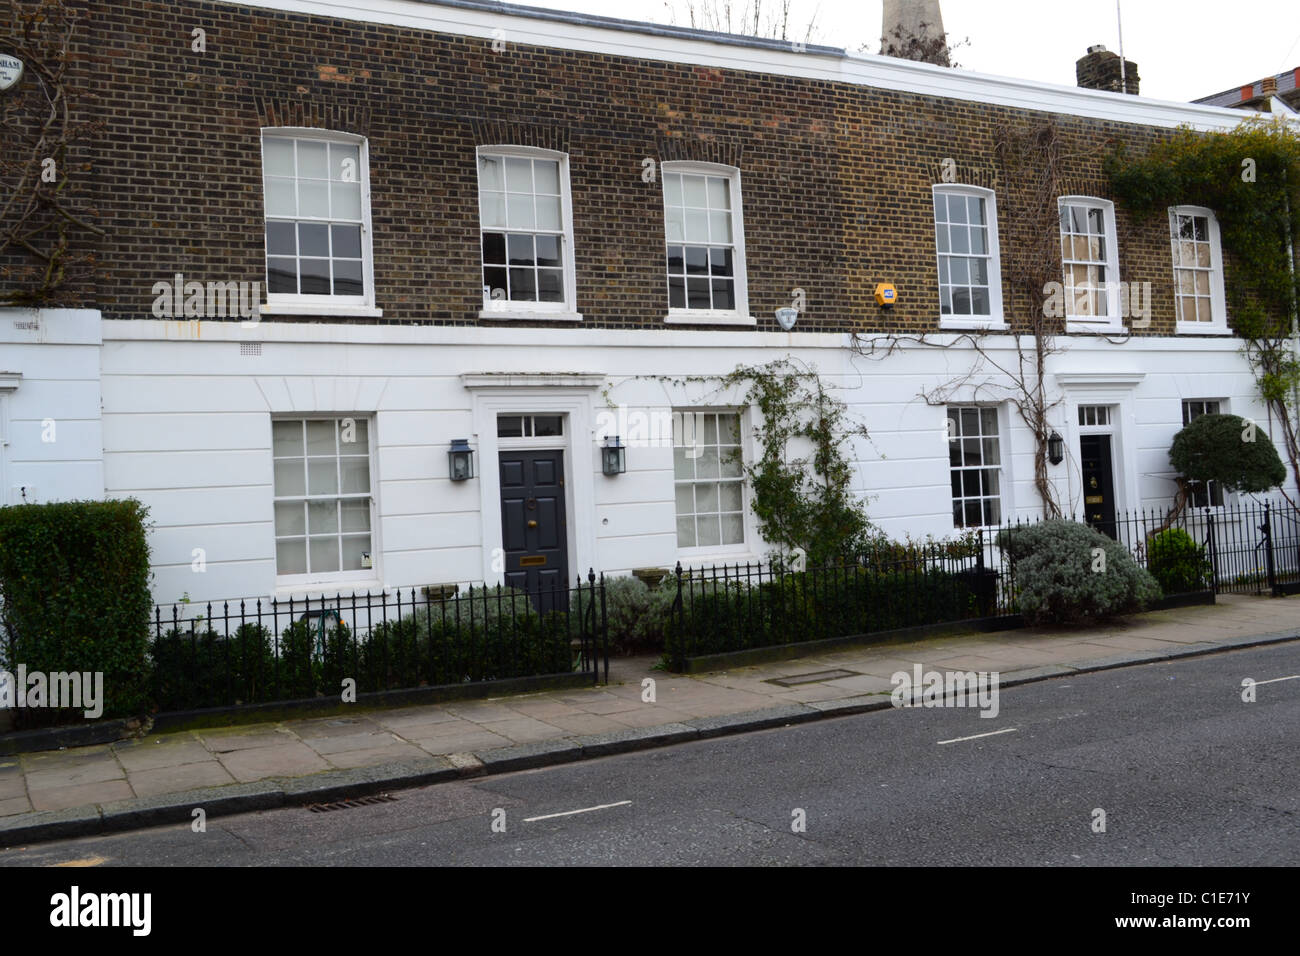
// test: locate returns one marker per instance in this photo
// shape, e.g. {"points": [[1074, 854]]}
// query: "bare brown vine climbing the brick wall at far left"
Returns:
{"points": [[41, 122]]}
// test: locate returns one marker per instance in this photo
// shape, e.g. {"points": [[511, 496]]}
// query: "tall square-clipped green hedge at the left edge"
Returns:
{"points": [[75, 596]]}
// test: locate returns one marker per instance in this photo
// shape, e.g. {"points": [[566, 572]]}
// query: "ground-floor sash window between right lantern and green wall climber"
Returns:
{"points": [[709, 473]]}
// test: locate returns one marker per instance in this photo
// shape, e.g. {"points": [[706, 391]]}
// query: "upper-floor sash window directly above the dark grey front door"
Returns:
{"points": [[527, 230]]}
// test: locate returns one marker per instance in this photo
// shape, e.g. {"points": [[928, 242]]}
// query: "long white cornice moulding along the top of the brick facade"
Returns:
{"points": [[612, 37]]}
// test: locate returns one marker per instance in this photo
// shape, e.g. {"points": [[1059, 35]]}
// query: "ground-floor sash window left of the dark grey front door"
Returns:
{"points": [[323, 495]]}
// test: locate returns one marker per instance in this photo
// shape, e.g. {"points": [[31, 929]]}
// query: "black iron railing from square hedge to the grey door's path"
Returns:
{"points": [[253, 652]]}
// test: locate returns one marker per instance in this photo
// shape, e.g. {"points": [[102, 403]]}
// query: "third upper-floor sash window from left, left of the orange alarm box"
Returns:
{"points": [[705, 244]]}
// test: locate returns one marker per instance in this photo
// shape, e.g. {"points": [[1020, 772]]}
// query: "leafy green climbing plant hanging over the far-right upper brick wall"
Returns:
{"points": [[1250, 178]]}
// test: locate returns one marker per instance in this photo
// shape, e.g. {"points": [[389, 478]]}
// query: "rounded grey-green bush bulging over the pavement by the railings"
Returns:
{"points": [[1068, 573]]}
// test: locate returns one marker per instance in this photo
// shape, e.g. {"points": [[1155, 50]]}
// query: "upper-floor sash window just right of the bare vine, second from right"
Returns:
{"points": [[1091, 262]]}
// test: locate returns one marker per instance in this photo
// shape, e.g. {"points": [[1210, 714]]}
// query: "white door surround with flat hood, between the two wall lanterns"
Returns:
{"points": [[534, 393]]}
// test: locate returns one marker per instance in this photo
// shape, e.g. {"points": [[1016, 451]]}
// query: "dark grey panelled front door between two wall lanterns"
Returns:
{"points": [[532, 525]]}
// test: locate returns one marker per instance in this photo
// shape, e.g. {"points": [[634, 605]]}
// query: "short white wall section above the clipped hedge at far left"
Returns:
{"points": [[51, 440]]}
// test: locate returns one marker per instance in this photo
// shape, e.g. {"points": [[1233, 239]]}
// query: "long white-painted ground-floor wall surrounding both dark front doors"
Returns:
{"points": [[188, 431]]}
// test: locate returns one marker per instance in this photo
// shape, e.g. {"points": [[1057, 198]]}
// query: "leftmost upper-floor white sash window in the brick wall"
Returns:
{"points": [[318, 222]]}
